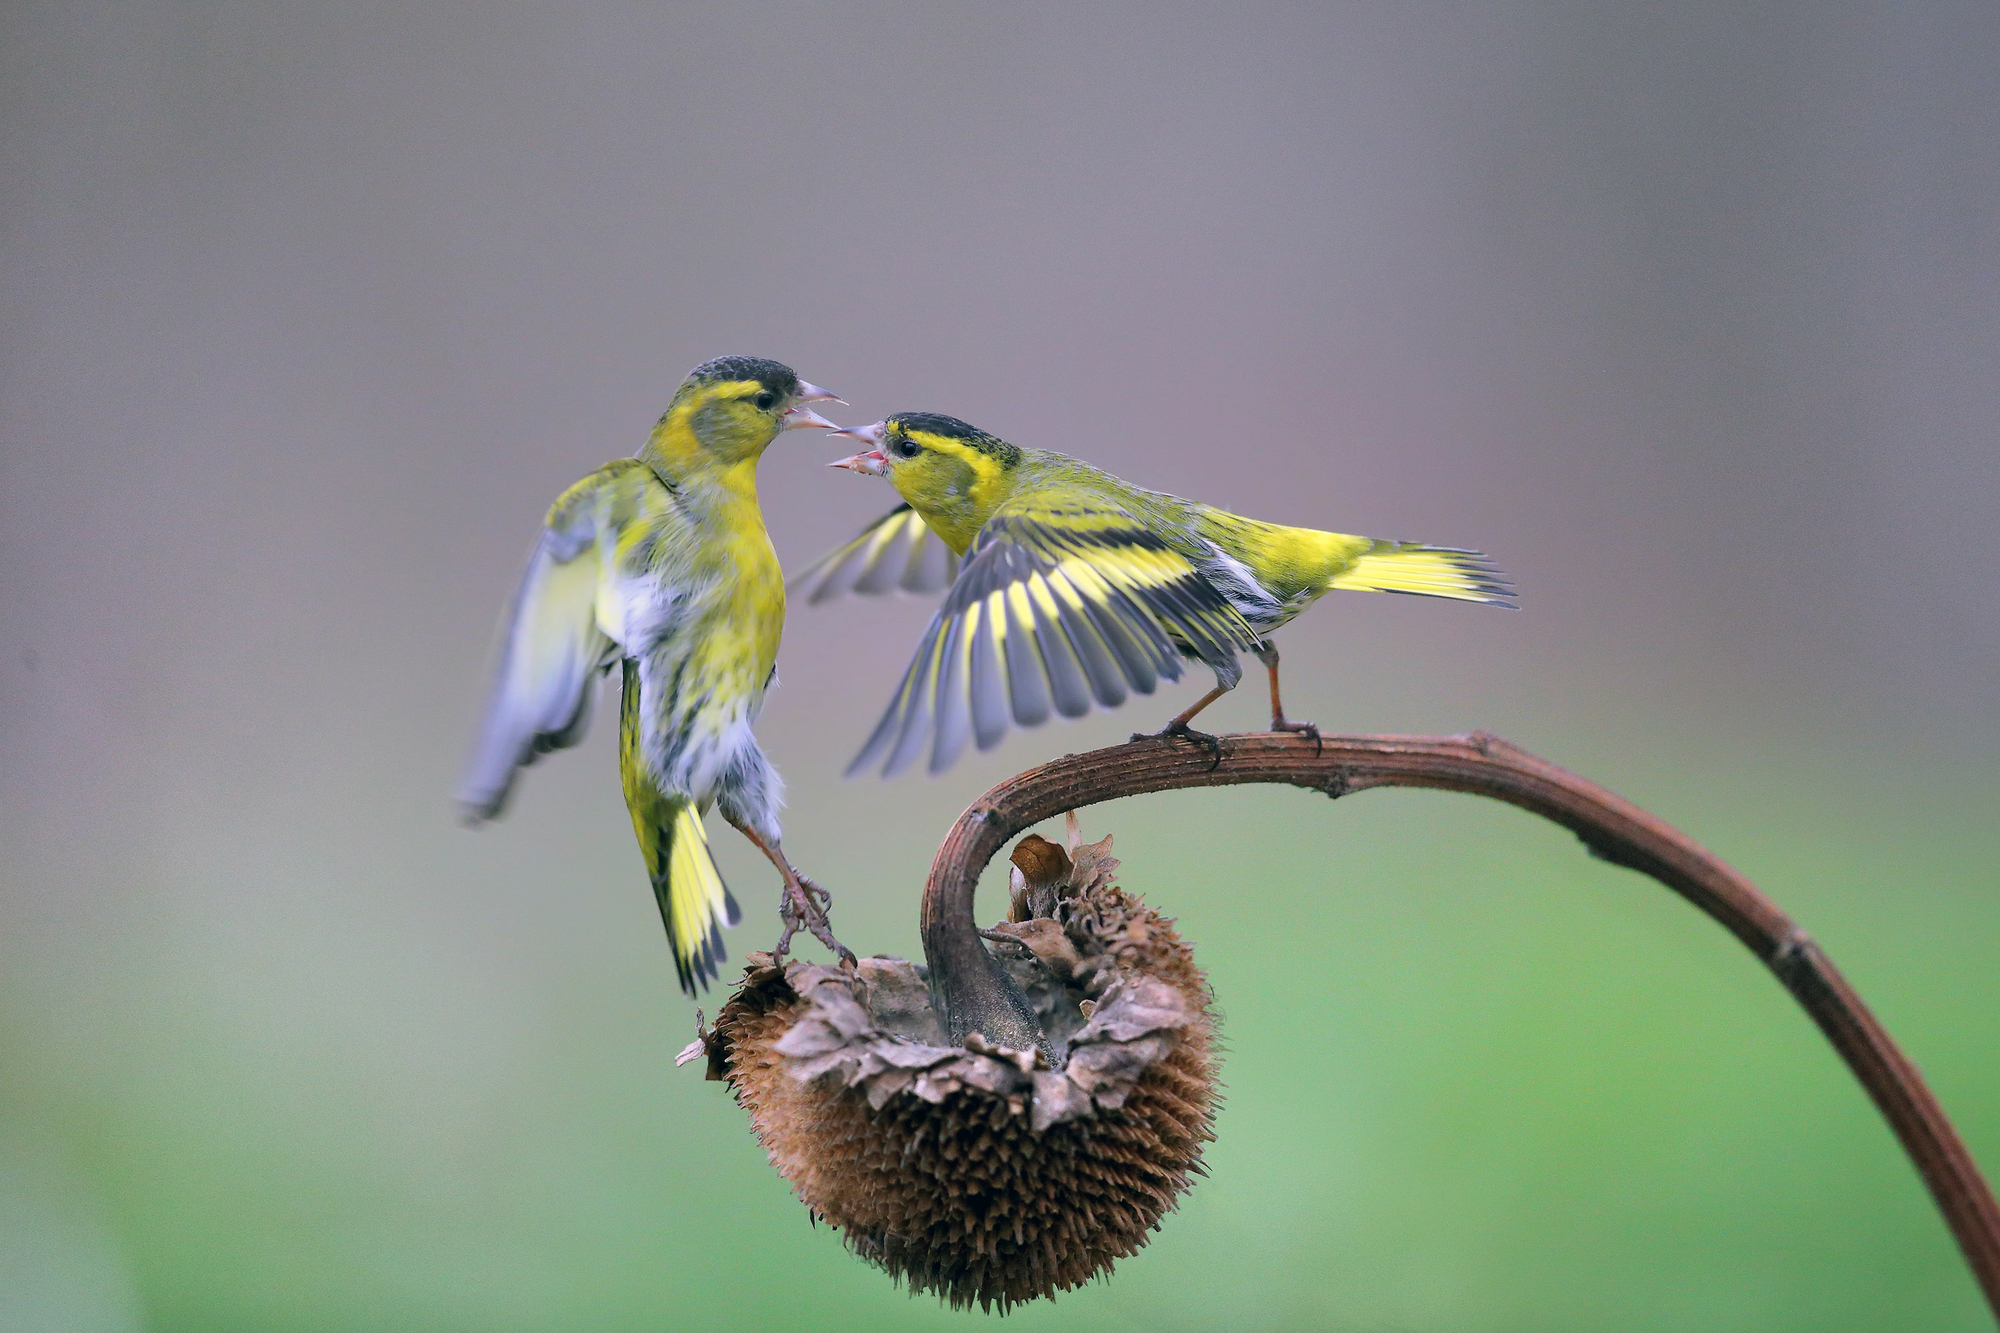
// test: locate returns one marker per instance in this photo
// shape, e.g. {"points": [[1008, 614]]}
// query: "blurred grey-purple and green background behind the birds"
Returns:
{"points": [[1687, 313]]}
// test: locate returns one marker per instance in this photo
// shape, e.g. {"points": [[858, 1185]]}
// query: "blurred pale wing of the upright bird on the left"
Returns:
{"points": [[551, 649]]}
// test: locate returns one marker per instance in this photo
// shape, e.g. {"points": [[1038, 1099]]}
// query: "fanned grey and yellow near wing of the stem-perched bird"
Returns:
{"points": [[1059, 603]]}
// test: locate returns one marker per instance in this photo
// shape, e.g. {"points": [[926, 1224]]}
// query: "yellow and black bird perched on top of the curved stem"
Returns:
{"points": [[1069, 585]]}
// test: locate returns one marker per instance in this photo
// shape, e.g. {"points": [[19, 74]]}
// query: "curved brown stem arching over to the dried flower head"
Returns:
{"points": [[977, 996]]}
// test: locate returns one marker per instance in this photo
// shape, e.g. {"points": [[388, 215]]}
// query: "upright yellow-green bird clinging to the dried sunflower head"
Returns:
{"points": [[661, 565]]}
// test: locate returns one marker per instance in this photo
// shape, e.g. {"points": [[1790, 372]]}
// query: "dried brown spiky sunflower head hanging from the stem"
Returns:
{"points": [[983, 1172]]}
